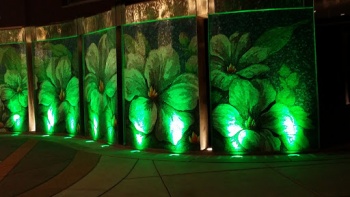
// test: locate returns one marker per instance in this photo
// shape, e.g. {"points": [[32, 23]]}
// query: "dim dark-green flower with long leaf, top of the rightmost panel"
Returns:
{"points": [[236, 56]]}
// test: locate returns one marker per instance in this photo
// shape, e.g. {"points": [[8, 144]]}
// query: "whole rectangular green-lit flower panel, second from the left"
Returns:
{"points": [[57, 72]]}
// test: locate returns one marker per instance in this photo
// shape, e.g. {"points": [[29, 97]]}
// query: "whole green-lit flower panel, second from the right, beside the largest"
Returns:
{"points": [[161, 84]]}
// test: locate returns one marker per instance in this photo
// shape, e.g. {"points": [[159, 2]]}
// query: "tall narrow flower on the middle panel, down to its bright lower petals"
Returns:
{"points": [[100, 86]]}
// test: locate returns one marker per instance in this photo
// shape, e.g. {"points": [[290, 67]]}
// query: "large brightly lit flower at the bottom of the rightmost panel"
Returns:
{"points": [[253, 121]]}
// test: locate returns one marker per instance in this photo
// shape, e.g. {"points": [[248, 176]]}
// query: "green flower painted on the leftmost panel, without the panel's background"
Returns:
{"points": [[14, 92]]}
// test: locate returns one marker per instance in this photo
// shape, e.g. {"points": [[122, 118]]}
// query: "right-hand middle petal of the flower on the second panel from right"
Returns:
{"points": [[181, 96]]}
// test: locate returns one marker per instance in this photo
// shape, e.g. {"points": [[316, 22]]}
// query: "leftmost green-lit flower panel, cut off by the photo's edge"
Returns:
{"points": [[13, 88]]}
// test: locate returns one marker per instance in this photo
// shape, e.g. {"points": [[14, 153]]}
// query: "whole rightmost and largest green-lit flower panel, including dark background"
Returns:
{"points": [[263, 81]]}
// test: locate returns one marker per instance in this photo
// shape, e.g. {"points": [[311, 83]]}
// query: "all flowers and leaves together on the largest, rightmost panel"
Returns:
{"points": [[251, 112]]}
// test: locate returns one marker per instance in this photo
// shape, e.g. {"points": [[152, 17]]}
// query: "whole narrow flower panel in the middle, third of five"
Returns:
{"points": [[100, 85]]}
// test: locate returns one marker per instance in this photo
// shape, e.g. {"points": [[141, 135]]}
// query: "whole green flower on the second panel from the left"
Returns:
{"points": [[59, 95]]}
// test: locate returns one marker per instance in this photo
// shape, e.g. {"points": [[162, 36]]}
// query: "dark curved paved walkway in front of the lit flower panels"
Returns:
{"points": [[33, 165]]}
